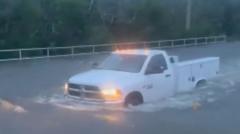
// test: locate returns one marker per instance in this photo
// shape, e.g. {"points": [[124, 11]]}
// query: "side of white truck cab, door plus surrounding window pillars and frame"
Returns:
{"points": [[158, 76]]}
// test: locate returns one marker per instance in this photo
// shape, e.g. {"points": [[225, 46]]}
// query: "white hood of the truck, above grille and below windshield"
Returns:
{"points": [[105, 78]]}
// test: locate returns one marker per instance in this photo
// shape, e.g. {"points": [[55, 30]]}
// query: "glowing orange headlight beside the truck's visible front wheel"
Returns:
{"points": [[111, 94]]}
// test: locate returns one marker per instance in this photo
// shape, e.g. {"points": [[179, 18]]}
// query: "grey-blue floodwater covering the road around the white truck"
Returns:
{"points": [[31, 90]]}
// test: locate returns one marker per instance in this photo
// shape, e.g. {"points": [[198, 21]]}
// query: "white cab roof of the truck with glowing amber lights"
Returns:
{"points": [[147, 52]]}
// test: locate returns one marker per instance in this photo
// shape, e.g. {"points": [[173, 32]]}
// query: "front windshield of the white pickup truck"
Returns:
{"points": [[123, 62]]}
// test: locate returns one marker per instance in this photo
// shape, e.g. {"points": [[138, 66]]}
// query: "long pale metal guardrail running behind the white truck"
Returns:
{"points": [[35, 53]]}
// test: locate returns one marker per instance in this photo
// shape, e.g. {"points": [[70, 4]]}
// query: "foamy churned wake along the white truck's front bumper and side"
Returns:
{"points": [[207, 94]]}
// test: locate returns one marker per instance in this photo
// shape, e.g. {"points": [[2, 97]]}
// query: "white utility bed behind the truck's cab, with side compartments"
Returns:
{"points": [[188, 73]]}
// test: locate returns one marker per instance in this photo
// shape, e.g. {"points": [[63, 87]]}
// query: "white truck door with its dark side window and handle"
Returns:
{"points": [[159, 82]]}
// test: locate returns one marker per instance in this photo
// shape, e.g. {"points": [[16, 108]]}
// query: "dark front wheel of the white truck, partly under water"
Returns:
{"points": [[134, 99]]}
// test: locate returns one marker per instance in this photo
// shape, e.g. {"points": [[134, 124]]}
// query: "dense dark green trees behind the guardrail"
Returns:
{"points": [[44, 23]]}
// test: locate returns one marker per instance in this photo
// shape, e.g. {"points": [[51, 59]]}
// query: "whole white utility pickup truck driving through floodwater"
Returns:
{"points": [[137, 76]]}
